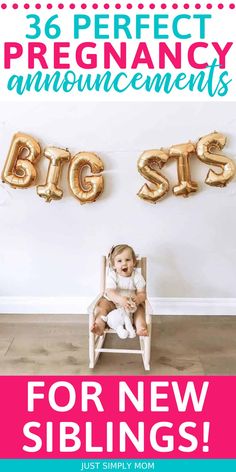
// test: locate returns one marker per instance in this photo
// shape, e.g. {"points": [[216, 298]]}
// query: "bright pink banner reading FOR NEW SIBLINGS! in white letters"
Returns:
{"points": [[125, 417]]}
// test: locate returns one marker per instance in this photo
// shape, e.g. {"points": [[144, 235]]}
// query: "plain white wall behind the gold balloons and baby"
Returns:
{"points": [[51, 250]]}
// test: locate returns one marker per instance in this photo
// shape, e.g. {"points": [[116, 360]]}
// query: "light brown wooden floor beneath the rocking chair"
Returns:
{"points": [[58, 345]]}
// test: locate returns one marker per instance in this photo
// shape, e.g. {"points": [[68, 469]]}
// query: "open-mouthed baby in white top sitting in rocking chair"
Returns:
{"points": [[123, 283]]}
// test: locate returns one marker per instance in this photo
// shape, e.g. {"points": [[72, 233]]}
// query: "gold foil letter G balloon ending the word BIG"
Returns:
{"points": [[87, 189]]}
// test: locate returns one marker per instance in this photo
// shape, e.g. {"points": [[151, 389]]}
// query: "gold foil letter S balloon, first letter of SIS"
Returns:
{"points": [[147, 164]]}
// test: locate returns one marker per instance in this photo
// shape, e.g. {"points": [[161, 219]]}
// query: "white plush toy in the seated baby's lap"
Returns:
{"points": [[120, 320]]}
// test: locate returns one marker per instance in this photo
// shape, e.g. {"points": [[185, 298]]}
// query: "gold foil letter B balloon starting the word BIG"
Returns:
{"points": [[19, 170]]}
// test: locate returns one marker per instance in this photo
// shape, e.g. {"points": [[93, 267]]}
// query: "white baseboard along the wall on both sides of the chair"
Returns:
{"points": [[79, 305]]}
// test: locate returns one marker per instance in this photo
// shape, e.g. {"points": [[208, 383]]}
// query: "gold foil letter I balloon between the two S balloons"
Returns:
{"points": [[183, 152]]}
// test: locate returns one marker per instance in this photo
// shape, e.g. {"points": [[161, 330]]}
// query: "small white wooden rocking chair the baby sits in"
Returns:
{"points": [[96, 342]]}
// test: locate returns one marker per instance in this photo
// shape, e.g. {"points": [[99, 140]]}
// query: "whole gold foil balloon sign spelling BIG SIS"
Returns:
{"points": [[20, 169]]}
